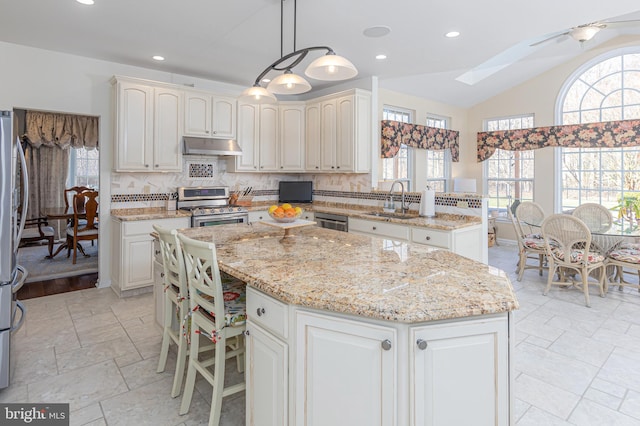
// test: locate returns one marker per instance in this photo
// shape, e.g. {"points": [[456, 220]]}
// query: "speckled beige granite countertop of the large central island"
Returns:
{"points": [[359, 275]]}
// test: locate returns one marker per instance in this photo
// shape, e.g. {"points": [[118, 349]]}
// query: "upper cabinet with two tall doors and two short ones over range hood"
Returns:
{"points": [[151, 118]]}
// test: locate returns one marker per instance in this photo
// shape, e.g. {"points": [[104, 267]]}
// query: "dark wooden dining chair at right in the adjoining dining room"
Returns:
{"points": [[83, 232]]}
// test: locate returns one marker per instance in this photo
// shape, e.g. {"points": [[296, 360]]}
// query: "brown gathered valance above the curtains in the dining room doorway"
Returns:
{"points": [[62, 130]]}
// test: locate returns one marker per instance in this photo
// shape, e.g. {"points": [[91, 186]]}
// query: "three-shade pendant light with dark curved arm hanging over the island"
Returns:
{"points": [[330, 67]]}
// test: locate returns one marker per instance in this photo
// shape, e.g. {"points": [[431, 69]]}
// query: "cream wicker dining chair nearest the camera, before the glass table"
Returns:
{"points": [[568, 245]]}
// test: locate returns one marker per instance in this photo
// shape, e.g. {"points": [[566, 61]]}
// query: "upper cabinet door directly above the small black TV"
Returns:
{"points": [[292, 137]]}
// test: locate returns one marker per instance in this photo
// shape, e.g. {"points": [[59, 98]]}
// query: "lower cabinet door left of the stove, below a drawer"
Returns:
{"points": [[137, 262]]}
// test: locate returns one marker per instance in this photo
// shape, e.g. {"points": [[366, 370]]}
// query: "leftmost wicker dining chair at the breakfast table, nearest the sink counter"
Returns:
{"points": [[530, 241]]}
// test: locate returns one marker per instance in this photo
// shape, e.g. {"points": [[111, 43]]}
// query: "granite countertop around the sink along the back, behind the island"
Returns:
{"points": [[442, 221]]}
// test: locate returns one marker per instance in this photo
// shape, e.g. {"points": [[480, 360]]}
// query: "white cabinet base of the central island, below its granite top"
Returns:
{"points": [[336, 369]]}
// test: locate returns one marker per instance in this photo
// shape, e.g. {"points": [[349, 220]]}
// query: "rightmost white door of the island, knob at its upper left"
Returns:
{"points": [[460, 373]]}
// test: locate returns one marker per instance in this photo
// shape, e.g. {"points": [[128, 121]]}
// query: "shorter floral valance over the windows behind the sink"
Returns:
{"points": [[395, 133]]}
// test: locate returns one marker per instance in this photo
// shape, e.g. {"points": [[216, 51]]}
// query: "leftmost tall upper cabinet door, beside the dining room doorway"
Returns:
{"points": [[135, 127]]}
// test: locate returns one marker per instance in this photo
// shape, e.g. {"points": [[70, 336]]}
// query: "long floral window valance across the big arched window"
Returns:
{"points": [[606, 134]]}
